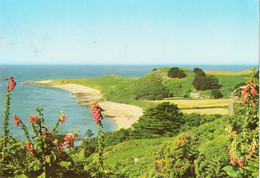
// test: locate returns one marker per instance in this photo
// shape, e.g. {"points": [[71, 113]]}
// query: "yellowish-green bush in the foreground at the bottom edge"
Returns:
{"points": [[176, 158]]}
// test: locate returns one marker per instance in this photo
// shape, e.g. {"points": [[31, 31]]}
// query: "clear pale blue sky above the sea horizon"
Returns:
{"points": [[216, 32]]}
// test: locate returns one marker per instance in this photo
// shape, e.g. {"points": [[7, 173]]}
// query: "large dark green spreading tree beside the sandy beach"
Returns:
{"points": [[163, 120]]}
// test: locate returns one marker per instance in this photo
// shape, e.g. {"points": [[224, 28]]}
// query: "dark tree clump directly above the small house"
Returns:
{"points": [[203, 82]]}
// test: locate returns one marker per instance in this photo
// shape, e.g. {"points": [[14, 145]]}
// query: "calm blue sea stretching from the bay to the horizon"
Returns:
{"points": [[25, 98]]}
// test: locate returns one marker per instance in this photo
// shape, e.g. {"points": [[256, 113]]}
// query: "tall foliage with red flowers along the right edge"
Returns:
{"points": [[244, 153]]}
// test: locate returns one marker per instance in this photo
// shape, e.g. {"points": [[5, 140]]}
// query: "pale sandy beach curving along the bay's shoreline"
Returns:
{"points": [[124, 115]]}
